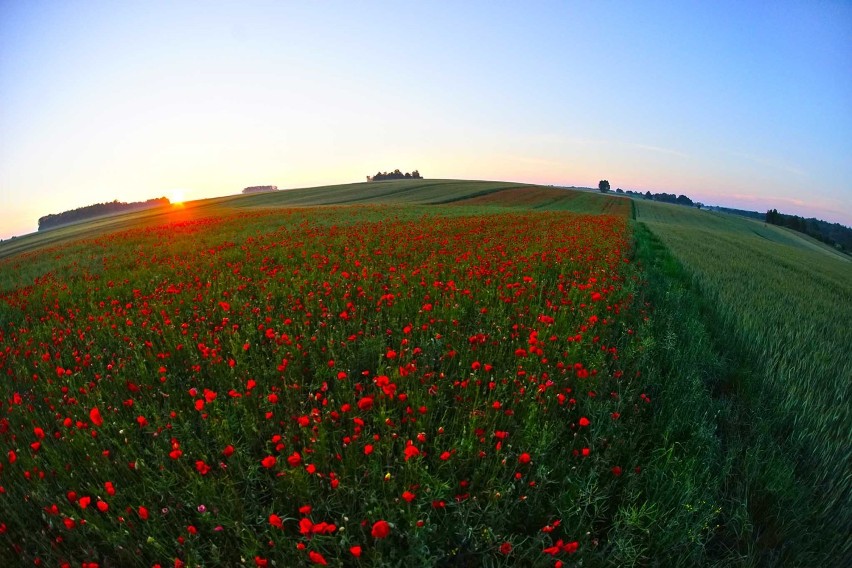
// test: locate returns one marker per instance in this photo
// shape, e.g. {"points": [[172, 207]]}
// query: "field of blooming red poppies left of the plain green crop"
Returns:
{"points": [[338, 386]]}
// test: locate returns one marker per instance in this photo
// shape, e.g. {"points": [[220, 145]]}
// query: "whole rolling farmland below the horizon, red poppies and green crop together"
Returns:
{"points": [[424, 373]]}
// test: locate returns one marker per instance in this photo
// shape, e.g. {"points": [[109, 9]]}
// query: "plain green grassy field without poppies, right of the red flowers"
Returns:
{"points": [[778, 310]]}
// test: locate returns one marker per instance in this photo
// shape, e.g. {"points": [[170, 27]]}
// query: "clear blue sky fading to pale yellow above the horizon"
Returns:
{"points": [[744, 104]]}
